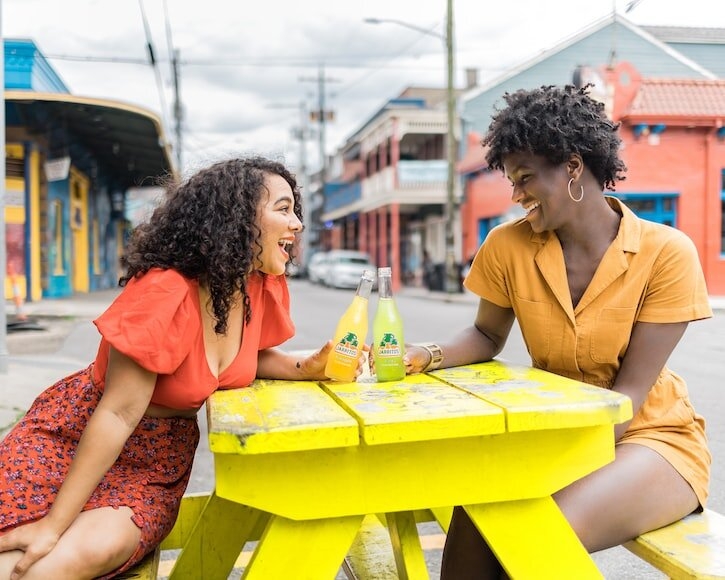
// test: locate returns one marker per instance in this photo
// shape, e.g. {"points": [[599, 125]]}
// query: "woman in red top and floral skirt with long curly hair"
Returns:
{"points": [[106, 453]]}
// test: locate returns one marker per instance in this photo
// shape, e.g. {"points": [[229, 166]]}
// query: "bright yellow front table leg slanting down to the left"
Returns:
{"points": [[303, 550]]}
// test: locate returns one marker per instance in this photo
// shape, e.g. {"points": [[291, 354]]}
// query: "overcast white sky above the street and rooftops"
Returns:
{"points": [[246, 67]]}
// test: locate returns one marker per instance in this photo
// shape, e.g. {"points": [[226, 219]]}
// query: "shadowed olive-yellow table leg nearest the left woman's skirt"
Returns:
{"points": [[216, 540]]}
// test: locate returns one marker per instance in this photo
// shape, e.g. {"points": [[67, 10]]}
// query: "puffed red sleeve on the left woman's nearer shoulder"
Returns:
{"points": [[153, 321]]}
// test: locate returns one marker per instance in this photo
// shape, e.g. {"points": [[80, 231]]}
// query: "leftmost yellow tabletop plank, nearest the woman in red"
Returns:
{"points": [[277, 416]]}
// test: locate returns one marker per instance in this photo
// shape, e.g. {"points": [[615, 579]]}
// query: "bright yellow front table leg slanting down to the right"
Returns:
{"points": [[532, 539]]}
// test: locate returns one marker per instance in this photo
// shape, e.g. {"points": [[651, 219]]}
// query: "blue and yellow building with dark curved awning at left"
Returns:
{"points": [[70, 161]]}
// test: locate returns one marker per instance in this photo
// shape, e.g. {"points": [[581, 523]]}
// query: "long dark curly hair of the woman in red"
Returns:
{"points": [[207, 230]]}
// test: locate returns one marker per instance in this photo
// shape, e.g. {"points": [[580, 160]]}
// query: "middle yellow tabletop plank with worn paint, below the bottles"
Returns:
{"points": [[419, 408]]}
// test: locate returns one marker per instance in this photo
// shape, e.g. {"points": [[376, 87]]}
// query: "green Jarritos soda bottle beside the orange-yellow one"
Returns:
{"points": [[388, 343]]}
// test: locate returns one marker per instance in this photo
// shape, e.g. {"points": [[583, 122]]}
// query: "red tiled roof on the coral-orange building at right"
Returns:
{"points": [[684, 99]]}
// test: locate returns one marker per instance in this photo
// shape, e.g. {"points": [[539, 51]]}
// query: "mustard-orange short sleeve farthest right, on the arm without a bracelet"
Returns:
{"points": [[676, 291]]}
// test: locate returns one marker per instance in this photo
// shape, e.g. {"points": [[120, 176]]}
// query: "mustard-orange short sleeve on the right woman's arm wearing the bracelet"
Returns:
{"points": [[487, 277]]}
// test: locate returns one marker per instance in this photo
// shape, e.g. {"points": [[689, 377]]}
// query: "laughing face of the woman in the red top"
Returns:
{"points": [[278, 225]]}
